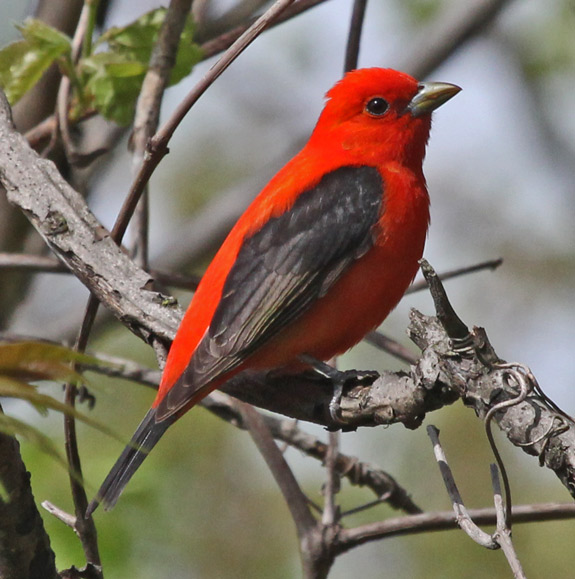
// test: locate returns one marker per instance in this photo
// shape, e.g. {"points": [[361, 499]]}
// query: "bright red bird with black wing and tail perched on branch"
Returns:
{"points": [[320, 257]]}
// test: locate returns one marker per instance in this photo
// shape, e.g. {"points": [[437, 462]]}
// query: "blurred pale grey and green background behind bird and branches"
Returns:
{"points": [[501, 174]]}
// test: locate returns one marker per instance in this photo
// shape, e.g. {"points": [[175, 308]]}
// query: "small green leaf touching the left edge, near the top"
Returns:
{"points": [[22, 63]]}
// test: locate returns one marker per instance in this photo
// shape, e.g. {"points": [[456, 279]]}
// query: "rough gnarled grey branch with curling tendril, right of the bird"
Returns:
{"points": [[483, 380]]}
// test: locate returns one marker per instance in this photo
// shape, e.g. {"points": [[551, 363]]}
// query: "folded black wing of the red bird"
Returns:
{"points": [[281, 269]]}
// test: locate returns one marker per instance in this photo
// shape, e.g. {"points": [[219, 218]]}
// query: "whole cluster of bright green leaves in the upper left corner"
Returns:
{"points": [[107, 79]]}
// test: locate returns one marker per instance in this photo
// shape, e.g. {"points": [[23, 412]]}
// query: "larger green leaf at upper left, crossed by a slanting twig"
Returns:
{"points": [[114, 77]]}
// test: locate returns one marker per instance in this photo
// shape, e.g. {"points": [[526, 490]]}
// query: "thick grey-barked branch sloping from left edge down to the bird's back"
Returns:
{"points": [[63, 219]]}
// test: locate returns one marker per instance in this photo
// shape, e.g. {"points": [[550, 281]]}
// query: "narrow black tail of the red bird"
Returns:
{"points": [[144, 439]]}
